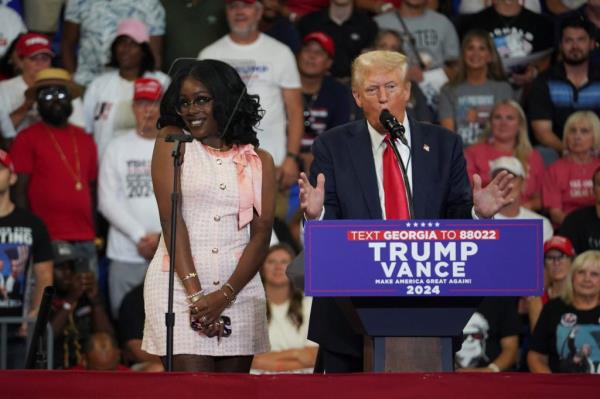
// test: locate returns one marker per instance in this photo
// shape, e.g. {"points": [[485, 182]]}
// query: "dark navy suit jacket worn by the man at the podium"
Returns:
{"points": [[440, 188]]}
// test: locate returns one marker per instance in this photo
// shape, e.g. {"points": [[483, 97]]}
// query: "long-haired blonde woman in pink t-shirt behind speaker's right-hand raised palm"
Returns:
{"points": [[507, 136]]}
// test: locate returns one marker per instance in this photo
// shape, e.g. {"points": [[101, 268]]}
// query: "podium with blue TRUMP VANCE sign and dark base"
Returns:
{"points": [[411, 286]]}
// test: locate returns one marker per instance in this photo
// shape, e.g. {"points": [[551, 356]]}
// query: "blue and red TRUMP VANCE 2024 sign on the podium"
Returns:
{"points": [[424, 258]]}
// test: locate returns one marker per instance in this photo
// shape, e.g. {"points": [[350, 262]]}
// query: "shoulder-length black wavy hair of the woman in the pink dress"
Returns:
{"points": [[233, 107]]}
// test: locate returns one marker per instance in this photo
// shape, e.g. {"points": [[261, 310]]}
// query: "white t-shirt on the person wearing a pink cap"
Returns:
{"points": [[107, 106]]}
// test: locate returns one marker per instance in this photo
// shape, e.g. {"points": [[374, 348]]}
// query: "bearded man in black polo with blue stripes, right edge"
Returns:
{"points": [[569, 86]]}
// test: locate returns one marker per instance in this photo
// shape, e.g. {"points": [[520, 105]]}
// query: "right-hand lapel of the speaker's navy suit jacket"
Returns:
{"points": [[419, 169]]}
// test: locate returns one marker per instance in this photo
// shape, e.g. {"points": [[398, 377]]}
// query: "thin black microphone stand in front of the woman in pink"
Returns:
{"points": [[177, 139]]}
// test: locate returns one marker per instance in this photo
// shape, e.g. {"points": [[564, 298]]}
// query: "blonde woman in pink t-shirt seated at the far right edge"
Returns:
{"points": [[568, 183]]}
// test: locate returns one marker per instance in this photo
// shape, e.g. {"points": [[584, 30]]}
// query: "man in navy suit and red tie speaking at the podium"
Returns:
{"points": [[348, 183]]}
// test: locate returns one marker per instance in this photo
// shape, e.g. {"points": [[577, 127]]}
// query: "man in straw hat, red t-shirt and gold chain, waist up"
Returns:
{"points": [[56, 163]]}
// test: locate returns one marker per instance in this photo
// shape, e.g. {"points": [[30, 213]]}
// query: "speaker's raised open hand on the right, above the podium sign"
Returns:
{"points": [[489, 200]]}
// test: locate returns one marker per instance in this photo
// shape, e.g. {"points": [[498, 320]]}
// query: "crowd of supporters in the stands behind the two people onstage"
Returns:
{"points": [[81, 82]]}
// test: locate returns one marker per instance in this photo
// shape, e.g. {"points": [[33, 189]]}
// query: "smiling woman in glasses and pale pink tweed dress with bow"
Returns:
{"points": [[223, 228]]}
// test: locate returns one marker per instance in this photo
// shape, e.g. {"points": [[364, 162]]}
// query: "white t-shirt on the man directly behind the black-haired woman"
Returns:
{"points": [[266, 66]]}
